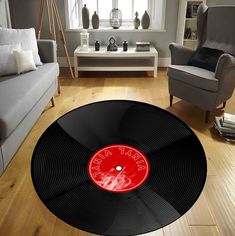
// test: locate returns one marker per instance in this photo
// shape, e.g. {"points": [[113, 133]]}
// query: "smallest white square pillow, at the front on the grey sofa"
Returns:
{"points": [[24, 61]]}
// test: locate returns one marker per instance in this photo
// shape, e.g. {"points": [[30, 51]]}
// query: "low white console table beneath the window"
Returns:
{"points": [[103, 60]]}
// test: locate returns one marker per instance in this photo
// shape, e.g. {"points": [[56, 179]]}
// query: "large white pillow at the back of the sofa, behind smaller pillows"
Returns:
{"points": [[26, 37]]}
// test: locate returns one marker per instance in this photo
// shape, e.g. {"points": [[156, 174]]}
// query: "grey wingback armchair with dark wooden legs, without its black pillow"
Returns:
{"points": [[199, 86]]}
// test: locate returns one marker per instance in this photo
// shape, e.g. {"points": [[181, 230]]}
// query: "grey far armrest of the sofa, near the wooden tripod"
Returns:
{"points": [[47, 50]]}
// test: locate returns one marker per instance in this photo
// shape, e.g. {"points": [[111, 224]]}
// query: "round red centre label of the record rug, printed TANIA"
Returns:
{"points": [[118, 168]]}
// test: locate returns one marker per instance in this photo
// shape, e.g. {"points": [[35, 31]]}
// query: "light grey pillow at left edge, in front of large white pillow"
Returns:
{"points": [[7, 60]]}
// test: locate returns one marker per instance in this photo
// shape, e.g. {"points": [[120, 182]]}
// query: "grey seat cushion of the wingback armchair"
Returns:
{"points": [[194, 76]]}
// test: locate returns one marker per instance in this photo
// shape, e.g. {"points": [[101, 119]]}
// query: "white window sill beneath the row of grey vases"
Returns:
{"points": [[117, 30]]}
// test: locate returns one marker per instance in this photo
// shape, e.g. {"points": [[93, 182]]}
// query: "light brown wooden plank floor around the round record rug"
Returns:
{"points": [[23, 214]]}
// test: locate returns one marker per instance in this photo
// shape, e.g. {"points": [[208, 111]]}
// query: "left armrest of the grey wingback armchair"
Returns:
{"points": [[180, 55]]}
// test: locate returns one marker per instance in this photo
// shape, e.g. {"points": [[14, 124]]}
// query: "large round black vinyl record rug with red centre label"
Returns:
{"points": [[118, 168]]}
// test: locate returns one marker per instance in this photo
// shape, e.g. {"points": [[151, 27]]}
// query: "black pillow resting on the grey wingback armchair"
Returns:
{"points": [[205, 58]]}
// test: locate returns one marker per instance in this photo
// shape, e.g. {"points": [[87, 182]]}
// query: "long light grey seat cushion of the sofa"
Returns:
{"points": [[18, 95]]}
